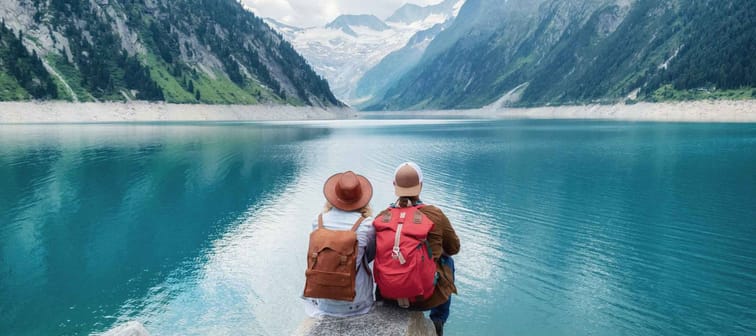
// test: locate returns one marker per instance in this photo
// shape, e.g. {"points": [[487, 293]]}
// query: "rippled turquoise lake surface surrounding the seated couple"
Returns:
{"points": [[567, 227]]}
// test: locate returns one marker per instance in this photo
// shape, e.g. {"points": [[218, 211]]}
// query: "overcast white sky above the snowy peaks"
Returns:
{"points": [[306, 13]]}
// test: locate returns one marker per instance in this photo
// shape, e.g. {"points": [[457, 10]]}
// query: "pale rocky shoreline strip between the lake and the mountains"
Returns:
{"points": [[64, 112]]}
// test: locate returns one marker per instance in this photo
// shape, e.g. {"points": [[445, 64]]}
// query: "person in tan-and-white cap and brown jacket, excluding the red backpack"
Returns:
{"points": [[443, 241]]}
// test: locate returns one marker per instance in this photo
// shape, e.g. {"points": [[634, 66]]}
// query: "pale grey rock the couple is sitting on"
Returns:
{"points": [[383, 320]]}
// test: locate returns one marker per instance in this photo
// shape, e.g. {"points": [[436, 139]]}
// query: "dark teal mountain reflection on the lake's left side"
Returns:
{"points": [[94, 216]]}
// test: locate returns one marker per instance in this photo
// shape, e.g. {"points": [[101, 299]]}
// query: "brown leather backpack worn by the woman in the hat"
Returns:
{"points": [[332, 263]]}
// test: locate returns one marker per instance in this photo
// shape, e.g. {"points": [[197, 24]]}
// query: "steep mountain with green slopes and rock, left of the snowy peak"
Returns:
{"points": [[182, 51]]}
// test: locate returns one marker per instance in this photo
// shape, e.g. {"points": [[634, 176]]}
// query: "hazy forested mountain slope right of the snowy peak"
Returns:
{"points": [[540, 52]]}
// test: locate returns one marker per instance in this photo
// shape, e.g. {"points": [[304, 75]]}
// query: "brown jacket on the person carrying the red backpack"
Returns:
{"points": [[443, 240]]}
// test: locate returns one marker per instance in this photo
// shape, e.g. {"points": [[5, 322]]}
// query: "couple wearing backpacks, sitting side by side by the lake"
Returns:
{"points": [[410, 243]]}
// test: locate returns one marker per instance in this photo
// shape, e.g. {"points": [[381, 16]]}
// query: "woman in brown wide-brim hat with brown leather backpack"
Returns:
{"points": [[347, 210]]}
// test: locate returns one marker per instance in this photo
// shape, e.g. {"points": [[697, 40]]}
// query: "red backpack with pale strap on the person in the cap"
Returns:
{"points": [[404, 268]]}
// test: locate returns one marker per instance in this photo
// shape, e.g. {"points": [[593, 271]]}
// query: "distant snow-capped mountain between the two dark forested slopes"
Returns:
{"points": [[348, 47]]}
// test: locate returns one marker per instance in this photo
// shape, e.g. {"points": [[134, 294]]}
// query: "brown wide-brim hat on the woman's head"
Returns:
{"points": [[348, 191]]}
